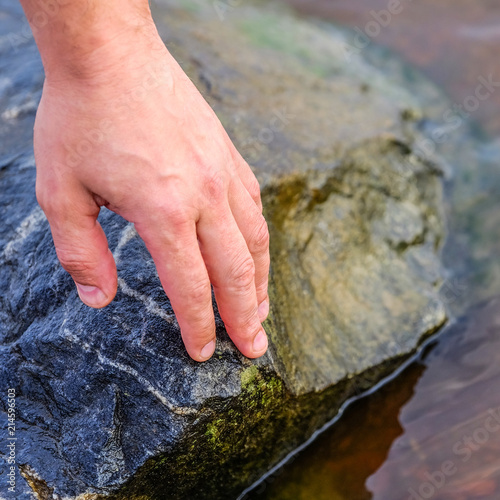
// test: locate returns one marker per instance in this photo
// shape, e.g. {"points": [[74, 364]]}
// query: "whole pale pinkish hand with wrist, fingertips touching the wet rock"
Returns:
{"points": [[152, 150]]}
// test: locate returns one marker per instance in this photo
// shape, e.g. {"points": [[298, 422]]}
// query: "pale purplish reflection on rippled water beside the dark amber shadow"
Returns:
{"points": [[451, 441]]}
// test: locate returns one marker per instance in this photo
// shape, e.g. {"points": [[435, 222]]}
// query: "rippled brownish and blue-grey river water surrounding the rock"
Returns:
{"points": [[434, 431]]}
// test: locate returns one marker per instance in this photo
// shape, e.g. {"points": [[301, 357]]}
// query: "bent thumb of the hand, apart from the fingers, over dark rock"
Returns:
{"points": [[81, 245]]}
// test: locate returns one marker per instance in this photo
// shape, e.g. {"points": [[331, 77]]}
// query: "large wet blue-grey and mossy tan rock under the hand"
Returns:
{"points": [[108, 403]]}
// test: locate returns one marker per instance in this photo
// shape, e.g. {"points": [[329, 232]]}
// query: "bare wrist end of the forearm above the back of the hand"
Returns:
{"points": [[79, 38]]}
